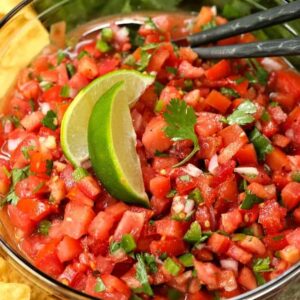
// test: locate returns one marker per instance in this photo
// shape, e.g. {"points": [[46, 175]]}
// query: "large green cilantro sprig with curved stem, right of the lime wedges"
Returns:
{"points": [[181, 120]]}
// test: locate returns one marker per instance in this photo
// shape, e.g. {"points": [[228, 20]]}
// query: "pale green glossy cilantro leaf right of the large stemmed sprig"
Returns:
{"points": [[242, 115]]}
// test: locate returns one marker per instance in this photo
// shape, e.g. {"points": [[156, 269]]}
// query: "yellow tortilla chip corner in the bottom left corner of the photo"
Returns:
{"points": [[14, 291]]}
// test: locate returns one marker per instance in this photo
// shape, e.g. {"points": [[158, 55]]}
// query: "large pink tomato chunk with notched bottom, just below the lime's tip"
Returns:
{"points": [[131, 222]]}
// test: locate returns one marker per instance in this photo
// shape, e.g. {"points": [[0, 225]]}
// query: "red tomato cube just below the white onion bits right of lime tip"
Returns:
{"points": [[171, 228]]}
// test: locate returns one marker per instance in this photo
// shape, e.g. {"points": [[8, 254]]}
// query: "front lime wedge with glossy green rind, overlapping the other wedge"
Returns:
{"points": [[112, 142]]}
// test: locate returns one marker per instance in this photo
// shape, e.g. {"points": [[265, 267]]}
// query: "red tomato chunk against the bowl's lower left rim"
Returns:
{"points": [[20, 219]]}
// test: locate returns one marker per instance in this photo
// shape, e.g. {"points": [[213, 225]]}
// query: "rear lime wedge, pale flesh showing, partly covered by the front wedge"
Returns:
{"points": [[75, 122]]}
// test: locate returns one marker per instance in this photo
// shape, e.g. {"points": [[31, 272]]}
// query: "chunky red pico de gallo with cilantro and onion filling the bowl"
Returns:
{"points": [[219, 145]]}
